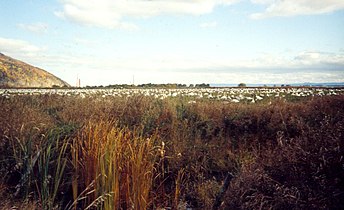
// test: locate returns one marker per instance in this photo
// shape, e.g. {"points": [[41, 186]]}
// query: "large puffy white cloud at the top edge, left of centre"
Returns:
{"points": [[112, 14]]}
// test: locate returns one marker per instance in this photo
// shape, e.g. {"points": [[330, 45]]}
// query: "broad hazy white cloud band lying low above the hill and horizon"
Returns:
{"points": [[306, 66]]}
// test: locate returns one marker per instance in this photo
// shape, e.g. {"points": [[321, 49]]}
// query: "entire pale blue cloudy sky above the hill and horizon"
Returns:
{"points": [[106, 42]]}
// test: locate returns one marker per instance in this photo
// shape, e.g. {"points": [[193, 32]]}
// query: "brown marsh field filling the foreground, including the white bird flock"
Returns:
{"points": [[237, 148]]}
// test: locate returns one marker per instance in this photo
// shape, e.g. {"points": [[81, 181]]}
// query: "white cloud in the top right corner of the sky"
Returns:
{"points": [[286, 8]]}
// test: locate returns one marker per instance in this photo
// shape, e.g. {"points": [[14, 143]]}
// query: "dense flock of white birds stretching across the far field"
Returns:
{"points": [[234, 95]]}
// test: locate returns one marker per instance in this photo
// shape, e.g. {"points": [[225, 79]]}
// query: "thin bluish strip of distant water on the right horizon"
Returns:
{"points": [[329, 84]]}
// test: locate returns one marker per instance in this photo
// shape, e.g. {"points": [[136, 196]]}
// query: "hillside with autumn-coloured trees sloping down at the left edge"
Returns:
{"points": [[15, 73]]}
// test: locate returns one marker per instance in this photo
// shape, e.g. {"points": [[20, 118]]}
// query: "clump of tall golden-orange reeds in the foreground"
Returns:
{"points": [[117, 163]]}
